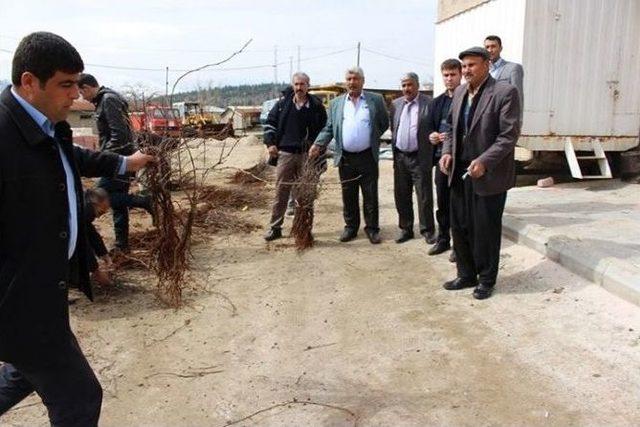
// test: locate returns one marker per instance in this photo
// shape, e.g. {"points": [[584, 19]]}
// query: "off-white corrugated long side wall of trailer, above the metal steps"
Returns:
{"points": [[582, 65]]}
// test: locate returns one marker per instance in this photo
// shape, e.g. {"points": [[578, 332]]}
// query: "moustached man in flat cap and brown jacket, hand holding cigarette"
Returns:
{"points": [[478, 156]]}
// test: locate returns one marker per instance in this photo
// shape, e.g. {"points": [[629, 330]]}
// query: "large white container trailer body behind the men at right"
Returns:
{"points": [[581, 62]]}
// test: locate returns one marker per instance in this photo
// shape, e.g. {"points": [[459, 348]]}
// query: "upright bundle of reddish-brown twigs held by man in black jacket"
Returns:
{"points": [[306, 190]]}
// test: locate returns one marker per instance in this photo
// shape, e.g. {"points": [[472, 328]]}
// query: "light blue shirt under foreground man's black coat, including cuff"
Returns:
{"points": [[48, 128]]}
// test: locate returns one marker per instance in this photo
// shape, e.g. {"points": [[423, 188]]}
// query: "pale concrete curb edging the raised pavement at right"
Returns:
{"points": [[613, 274]]}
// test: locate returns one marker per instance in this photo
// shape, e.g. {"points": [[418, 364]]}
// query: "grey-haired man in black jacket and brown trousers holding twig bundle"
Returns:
{"points": [[292, 125]]}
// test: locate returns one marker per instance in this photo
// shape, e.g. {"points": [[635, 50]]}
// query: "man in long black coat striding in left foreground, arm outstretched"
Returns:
{"points": [[43, 241]]}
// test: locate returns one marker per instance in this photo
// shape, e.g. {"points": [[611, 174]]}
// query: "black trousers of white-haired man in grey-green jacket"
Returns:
{"points": [[359, 172]]}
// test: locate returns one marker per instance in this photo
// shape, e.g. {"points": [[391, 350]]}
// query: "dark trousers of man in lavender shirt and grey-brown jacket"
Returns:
{"points": [[407, 175]]}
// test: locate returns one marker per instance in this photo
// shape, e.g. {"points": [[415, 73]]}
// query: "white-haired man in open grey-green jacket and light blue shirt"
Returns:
{"points": [[356, 121]]}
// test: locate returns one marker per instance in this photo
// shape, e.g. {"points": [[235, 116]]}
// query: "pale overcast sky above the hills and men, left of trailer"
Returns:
{"points": [[395, 36]]}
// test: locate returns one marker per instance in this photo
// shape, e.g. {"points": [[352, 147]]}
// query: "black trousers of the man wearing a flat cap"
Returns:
{"points": [[476, 227]]}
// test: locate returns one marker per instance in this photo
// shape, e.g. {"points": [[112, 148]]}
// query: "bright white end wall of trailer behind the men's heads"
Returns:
{"points": [[504, 18]]}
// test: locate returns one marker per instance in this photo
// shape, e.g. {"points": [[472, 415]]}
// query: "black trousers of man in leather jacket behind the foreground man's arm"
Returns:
{"points": [[121, 201]]}
